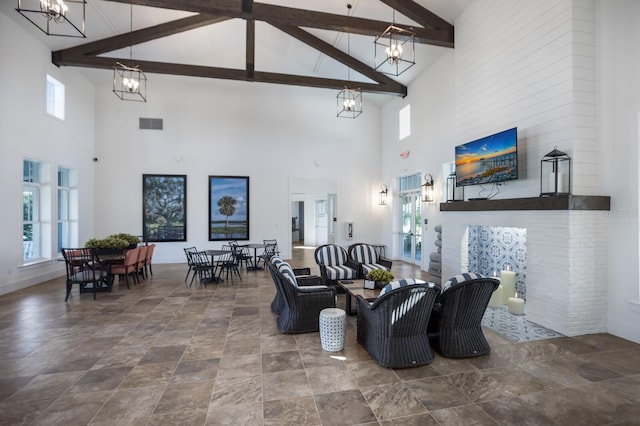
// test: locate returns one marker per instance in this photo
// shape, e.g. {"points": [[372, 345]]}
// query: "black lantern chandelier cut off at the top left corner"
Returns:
{"points": [[55, 17]]}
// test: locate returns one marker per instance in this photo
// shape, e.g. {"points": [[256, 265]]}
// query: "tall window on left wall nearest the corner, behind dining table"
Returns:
{"points": [[67, 209]]}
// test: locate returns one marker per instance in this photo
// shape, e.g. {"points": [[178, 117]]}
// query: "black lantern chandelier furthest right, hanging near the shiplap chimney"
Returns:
{"points": [[394, 50]]}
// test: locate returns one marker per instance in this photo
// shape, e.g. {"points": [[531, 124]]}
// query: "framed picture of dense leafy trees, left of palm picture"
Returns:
{"points": [[164, 207]]}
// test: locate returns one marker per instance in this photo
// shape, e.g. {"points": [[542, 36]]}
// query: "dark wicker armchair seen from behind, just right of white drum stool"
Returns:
{"points": [[393, 328]]}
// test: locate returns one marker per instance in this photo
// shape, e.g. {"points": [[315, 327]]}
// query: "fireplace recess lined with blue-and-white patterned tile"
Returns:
{"points": [[495, 248]]}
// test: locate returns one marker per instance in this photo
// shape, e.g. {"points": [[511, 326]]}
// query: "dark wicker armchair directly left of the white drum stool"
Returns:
{"points": [[302, 305]]}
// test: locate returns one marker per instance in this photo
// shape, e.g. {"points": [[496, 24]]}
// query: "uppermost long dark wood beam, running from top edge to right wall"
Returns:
{"points": [[281, 15]]}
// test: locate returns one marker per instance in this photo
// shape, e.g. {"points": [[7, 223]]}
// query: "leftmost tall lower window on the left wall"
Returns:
{"points": [[31, 210]]}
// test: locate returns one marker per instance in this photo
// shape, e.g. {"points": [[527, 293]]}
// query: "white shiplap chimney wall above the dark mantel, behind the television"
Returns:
{"points": [[530, 65]]}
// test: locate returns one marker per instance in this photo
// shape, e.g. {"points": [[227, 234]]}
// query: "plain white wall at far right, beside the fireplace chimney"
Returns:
{"points": [[618, 45]]}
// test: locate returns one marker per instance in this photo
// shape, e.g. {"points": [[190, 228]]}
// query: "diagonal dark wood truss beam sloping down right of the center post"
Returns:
{"points": [[340, 56]]}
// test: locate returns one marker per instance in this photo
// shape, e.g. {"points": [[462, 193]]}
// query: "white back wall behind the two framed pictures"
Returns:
{"points": [[277, 135]]}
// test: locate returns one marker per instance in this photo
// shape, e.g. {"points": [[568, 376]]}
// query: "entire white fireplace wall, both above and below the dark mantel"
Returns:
{"points": [[532, 65]]}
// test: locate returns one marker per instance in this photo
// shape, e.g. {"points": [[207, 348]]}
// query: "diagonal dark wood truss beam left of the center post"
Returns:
{"points": [[143, 35]]}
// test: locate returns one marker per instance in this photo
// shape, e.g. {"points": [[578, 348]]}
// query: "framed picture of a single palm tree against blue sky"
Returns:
{"points": [[228, 208]]}
